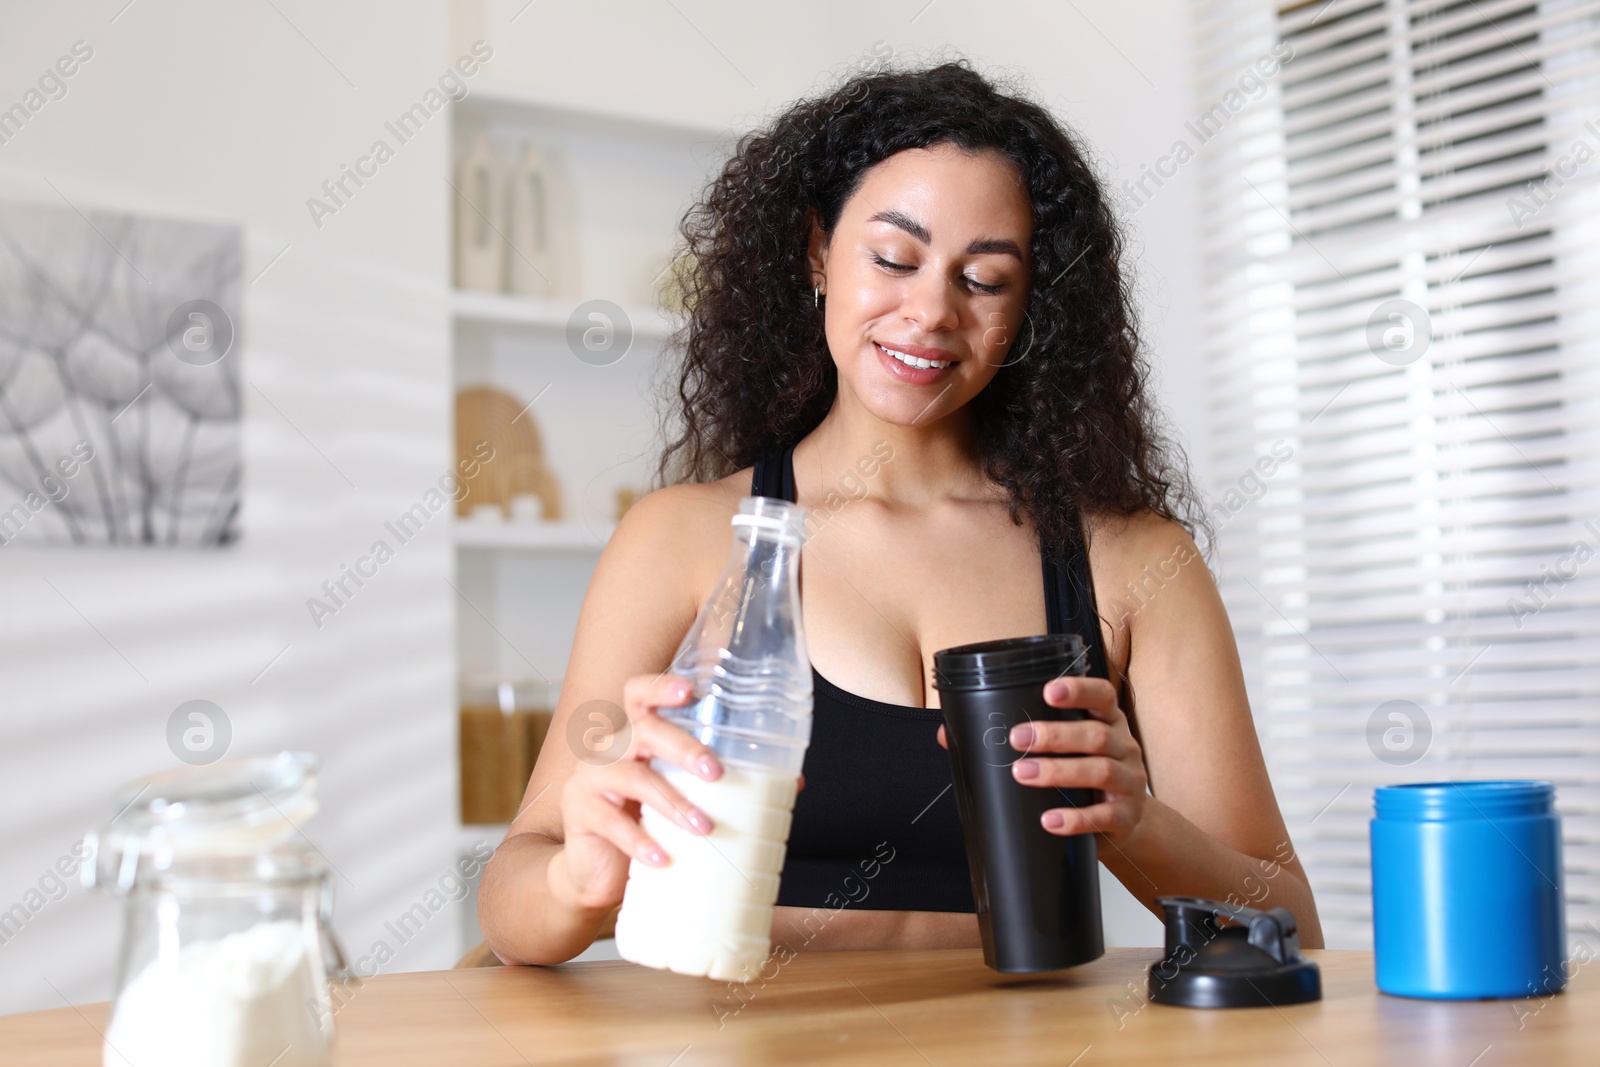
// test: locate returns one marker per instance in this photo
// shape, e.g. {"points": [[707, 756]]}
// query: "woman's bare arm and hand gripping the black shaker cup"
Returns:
{"points": [[1212, 828]]}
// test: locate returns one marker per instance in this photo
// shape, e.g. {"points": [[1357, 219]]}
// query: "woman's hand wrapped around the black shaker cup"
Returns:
{"points": [[1095, 753]]}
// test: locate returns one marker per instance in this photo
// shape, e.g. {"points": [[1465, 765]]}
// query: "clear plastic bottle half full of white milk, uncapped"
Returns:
{"points": [[710, 911]]}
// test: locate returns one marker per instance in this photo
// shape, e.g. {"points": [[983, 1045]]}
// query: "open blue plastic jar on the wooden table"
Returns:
{"points": [[1468, 890]]}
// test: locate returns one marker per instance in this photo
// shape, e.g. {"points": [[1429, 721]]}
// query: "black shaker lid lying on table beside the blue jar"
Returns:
{"points": [[1252, 962]]}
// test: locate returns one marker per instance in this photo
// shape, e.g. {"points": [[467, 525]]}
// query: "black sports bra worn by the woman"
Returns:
{"points": [[884, 834]]}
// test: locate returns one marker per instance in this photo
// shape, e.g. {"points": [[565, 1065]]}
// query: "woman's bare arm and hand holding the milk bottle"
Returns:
{"points": [[564, 863]]}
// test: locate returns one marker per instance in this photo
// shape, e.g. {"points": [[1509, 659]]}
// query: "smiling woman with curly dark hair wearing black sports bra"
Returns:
{"points": [[910, 316]]}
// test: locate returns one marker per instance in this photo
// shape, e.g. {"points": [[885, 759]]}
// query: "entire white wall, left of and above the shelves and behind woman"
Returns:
{"points": [[238, 113]]}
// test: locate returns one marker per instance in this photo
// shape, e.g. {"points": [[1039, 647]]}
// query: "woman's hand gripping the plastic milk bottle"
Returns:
{"points": [[601, 801]]}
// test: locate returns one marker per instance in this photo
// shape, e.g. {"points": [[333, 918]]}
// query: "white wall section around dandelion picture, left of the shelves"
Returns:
{"points": [[226, 113]]}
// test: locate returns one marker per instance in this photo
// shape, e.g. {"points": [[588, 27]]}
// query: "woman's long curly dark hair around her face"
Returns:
{"points": [[1065, 425]]}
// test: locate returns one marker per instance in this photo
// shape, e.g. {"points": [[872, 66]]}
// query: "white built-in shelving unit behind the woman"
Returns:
{"points": [[522, 585]]}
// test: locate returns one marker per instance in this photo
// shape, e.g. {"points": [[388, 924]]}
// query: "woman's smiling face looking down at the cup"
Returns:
{"points": [[927, 279]]}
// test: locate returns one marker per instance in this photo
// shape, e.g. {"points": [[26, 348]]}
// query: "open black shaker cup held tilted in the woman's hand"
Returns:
{"points": [[1038, 895]]}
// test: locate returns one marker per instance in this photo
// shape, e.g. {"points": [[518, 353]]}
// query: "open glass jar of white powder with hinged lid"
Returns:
{"points": [[226, 948]]}
